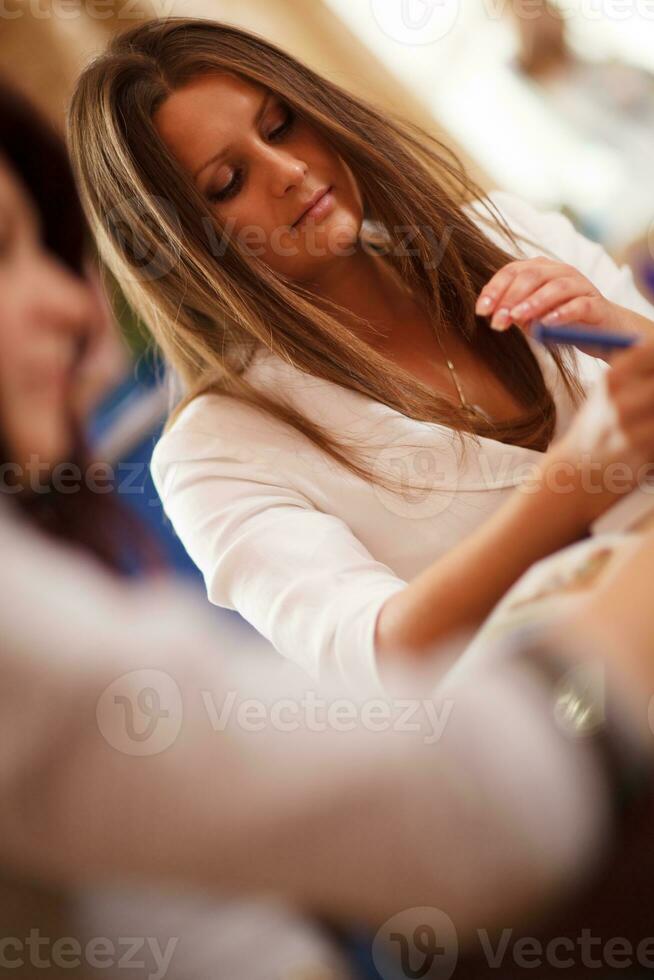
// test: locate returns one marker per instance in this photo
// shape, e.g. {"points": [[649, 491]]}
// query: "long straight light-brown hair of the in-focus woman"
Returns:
{"points": [[209, 317]]}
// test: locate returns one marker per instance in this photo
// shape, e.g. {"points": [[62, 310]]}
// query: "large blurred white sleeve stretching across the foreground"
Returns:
{"points": [[133, 746]]}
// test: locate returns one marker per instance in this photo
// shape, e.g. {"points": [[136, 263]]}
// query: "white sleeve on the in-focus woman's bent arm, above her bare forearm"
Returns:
{"points": [[297, 574]]}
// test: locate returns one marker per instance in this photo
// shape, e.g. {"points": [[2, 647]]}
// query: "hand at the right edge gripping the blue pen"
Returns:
{"points": [[609, 447]]}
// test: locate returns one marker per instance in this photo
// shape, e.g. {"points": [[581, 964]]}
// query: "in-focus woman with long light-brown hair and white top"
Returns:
{"points": [[348, 464]]}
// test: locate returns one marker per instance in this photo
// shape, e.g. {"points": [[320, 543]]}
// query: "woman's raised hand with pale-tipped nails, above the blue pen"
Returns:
{"points": [[553, 293]]}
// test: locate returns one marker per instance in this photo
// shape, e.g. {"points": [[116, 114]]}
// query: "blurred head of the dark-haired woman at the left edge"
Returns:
{"points": [[52, 326]]}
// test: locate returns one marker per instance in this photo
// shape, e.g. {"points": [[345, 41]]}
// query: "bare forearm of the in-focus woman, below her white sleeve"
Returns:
{"points": [[460, 588]]}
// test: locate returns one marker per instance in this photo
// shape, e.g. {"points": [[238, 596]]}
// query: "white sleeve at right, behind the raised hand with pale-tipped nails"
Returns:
{"points": [[557, 234]]}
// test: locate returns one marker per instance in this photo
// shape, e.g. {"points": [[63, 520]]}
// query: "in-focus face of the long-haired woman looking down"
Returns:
{"points": [[258, 165]]}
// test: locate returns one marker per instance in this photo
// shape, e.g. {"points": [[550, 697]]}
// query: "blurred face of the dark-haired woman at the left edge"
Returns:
{"points": [[45, 314]]}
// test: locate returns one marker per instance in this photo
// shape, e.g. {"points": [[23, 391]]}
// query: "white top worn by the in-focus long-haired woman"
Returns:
{"points": [[305, 551]]}
